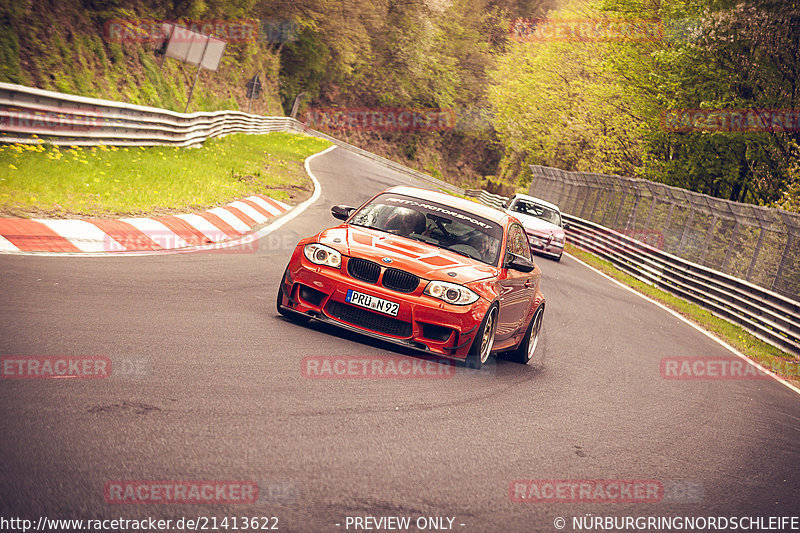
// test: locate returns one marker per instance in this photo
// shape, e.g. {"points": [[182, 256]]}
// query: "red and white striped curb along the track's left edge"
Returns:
{"points": [[170, 232]]}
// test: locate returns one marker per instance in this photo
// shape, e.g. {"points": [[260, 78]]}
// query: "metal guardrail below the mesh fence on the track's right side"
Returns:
{"points": [[768, 315]]}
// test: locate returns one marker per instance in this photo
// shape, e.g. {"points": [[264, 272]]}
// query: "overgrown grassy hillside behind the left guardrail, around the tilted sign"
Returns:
{"points": [[68, 46]]}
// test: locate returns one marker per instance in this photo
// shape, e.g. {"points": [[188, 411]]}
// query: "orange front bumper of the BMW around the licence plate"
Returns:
{"points": [[422, 322]]}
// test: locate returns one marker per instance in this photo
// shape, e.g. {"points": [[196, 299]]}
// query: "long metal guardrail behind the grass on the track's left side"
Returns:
{"points": [[30, 115]]}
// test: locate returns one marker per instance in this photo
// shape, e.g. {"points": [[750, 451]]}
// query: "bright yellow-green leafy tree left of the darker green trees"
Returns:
{"points": [[558, 103]]}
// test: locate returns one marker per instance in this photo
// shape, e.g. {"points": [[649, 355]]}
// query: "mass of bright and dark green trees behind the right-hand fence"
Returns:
{"points": [[597, 106]]}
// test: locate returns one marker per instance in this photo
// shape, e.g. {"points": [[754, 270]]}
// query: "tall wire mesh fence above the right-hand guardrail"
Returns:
{"points": [[755, 243]]}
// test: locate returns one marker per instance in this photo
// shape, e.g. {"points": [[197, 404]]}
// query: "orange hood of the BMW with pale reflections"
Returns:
{"points": [[424, 260]]}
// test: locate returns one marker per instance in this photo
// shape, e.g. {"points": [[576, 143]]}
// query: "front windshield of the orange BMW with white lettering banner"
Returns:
{"points": [[447, 227]]}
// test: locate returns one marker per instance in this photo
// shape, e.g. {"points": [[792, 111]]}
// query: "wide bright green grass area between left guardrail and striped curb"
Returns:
{"points": [[111, 181]]}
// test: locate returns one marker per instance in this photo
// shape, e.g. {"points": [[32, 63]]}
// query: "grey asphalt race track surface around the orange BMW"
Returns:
{"points": [[222, 397]]}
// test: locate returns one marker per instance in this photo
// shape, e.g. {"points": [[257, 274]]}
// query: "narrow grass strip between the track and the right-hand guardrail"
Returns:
{"points": [[770, 357]]}
